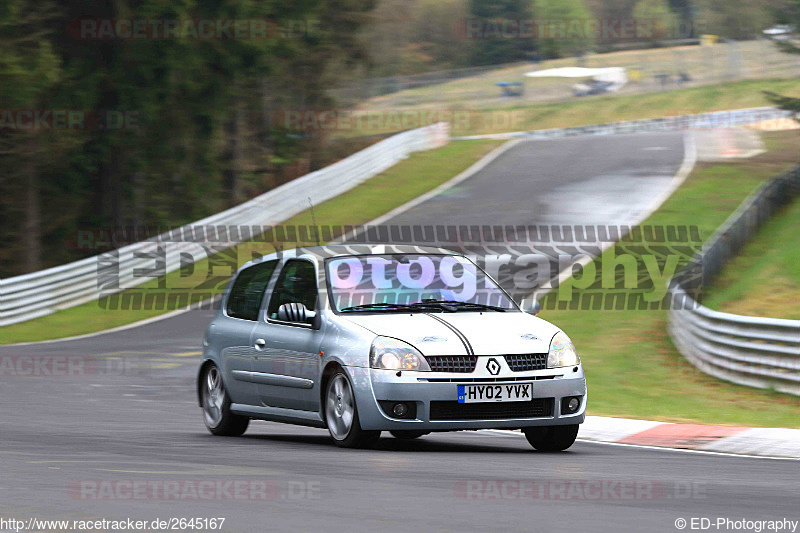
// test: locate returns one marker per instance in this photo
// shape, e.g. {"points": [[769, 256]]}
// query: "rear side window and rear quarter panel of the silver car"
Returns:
{"points": [[234, 331]]}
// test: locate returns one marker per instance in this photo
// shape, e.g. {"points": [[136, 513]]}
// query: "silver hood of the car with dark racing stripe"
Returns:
{"points": [[489, 333]]}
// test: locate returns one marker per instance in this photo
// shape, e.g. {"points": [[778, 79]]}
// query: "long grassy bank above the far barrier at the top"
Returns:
{"points": [[587, 111]]}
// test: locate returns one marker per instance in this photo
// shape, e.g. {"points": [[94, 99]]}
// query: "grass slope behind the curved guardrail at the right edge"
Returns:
{"points": [[764, 279]]}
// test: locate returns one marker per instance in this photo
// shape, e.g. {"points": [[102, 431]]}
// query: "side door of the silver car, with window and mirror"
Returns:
{"points": [[287, 356]]}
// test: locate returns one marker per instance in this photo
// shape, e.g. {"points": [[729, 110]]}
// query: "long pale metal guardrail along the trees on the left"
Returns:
{"points": [[40, 293]]}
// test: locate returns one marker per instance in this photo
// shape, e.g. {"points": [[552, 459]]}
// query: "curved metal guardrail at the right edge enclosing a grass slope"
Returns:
{"points": [[748, 350]]}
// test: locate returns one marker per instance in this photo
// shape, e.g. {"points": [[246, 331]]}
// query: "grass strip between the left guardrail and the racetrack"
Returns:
{"points": [[410, 178]]}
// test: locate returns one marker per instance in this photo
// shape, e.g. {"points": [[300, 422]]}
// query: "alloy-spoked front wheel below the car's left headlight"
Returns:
{"points": [[341, 415]]}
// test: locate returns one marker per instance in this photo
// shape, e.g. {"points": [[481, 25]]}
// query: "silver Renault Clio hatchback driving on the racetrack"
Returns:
{"points": [[361, 339]]}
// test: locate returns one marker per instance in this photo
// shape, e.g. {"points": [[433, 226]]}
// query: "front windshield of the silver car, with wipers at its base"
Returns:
{"points": [[412, 282]]}
